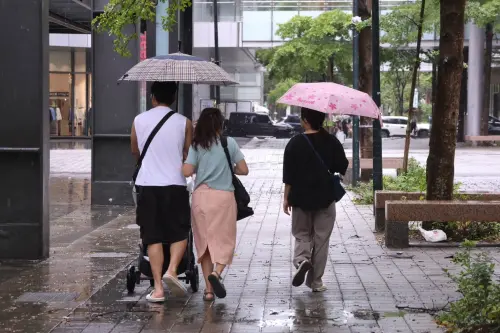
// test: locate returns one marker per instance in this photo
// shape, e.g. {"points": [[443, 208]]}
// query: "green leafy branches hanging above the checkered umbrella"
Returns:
{"points": [[118, 14]]}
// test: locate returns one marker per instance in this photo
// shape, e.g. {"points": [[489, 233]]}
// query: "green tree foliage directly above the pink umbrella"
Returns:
{"points": [[316, 49]]}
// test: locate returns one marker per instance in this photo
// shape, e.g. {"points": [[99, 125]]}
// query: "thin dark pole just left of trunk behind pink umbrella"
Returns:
{"points": [[355, 85]]}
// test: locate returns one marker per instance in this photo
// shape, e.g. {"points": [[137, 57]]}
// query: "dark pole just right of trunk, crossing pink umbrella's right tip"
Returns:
{"points": [[377, 139]]}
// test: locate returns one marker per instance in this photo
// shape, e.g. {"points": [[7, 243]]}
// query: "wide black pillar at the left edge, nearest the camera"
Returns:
{"points": [[24, 137]]}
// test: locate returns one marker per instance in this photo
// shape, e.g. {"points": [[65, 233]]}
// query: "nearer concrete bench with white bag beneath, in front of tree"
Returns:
{"points": [[399, 213]]}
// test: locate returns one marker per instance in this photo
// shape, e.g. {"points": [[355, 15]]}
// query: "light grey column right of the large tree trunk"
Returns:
{"points": [[475, 85]]}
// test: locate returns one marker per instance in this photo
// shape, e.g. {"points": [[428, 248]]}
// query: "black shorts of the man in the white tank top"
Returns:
{"points": [[163, 214]]}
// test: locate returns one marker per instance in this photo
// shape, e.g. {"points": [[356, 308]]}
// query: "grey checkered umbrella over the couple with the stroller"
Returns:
{"points": [[179, 67]]}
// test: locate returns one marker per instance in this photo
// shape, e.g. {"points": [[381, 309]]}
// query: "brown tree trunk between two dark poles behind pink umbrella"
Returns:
{"points": [[365, 84]]}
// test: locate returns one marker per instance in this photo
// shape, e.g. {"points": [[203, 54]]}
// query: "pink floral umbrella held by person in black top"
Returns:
{"points": [[330, 98]]}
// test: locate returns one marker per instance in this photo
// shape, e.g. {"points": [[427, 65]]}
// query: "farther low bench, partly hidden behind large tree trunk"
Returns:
{"points": [[381, 197]]}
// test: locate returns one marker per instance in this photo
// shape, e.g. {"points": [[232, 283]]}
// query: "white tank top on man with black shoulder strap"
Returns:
{"points": [[162, 164]]}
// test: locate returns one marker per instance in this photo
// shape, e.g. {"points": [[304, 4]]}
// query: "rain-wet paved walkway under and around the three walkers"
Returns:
{"points": [[81, 288]]}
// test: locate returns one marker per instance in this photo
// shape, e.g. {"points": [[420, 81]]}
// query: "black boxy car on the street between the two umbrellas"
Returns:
{"points": [[251, 124]]}
